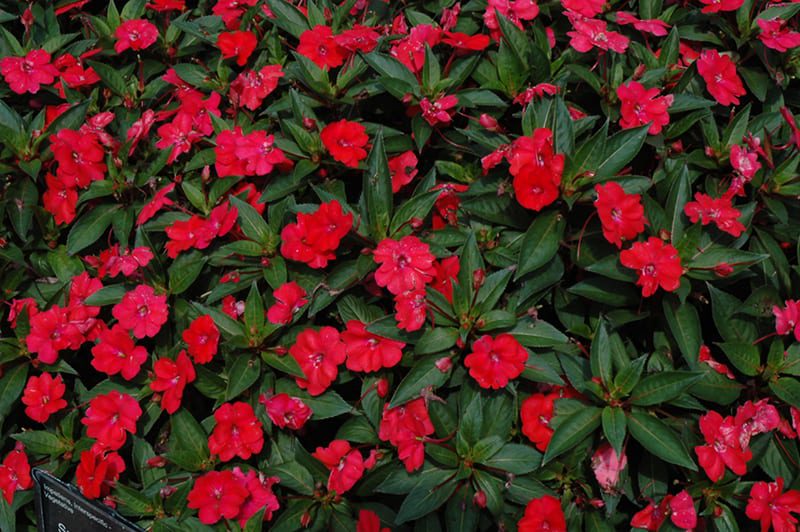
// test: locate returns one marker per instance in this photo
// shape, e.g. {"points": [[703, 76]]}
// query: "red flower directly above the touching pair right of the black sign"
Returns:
{"points": [[237, 432]]}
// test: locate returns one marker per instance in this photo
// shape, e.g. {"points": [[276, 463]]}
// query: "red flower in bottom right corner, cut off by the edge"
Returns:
{"points": [[770, 505]]}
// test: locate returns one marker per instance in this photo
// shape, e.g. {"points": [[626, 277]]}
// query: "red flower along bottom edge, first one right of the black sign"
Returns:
{"points": [[217, 494]]}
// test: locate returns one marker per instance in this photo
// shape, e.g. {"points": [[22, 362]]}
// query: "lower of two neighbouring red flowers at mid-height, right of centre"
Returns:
{"points": [[657, 263]]}
